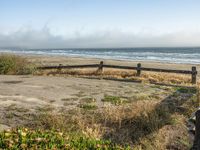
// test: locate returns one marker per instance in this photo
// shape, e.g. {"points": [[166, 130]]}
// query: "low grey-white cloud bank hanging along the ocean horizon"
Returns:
{"points": [[27, 37]]}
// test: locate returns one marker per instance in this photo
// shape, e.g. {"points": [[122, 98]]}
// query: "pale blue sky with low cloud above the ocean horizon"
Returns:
{"points": [[99, 23]]}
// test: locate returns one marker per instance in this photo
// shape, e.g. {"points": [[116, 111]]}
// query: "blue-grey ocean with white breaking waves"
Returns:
{"points": [[168, 55]]}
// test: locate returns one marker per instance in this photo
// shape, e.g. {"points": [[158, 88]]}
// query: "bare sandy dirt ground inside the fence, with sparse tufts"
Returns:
{"points": [[21, 96]]}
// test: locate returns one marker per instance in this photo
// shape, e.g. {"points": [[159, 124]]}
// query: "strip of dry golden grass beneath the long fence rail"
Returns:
{"points": [[166, 78]]}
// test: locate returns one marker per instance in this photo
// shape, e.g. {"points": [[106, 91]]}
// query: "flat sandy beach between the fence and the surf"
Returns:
{"points": [[55, 60]]}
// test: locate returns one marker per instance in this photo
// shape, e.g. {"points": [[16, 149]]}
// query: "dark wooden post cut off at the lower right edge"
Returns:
{"points": [[196, 144]]}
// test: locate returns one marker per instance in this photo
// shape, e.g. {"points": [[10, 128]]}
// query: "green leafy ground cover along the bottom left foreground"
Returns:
{"points": [[23, 138]]}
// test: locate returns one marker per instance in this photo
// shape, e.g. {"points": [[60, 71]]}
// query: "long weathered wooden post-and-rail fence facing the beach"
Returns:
{"points": [[138, 68]]}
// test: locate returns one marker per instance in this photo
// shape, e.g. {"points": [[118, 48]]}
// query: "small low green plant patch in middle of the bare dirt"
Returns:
{"points": [[114, 100]]}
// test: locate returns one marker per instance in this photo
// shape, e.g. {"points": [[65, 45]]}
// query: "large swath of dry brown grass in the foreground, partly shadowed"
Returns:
{"points": [[142, 124]]}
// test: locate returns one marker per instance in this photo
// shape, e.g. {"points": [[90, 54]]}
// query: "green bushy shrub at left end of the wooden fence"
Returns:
{"points": [[11, 64]]}
